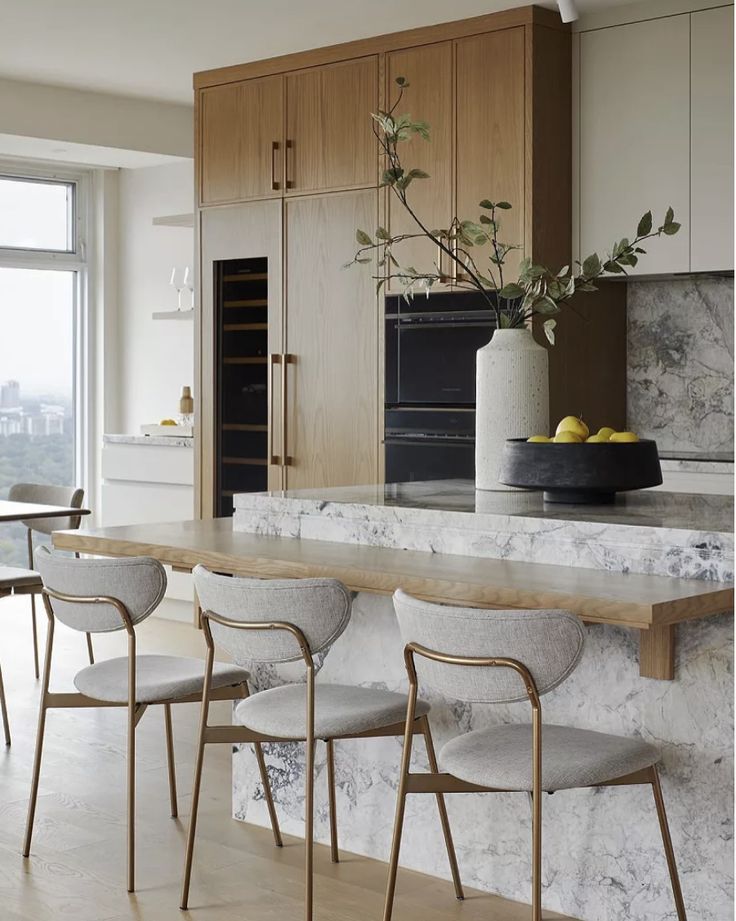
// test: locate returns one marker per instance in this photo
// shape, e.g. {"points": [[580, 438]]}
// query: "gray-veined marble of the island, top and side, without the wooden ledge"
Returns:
{"points": [[602, 851]]}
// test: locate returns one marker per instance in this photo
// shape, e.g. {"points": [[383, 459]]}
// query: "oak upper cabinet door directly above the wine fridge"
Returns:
{"points": [[241, 146]]}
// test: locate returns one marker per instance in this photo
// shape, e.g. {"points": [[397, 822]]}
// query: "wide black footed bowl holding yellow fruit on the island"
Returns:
{"points": [[589, 473]]}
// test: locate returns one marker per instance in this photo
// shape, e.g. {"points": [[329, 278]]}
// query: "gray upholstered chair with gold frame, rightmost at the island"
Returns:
{"points": [[496, 657]]}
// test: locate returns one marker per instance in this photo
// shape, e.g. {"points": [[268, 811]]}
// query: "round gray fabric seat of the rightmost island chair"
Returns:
{"points": [[501, 757]]}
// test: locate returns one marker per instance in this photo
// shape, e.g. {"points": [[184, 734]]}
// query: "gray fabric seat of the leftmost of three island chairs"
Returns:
{"points": [[157, 678]]}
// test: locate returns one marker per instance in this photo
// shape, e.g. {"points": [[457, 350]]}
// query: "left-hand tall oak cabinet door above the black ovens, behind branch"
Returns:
{"points": [[428, 70]]}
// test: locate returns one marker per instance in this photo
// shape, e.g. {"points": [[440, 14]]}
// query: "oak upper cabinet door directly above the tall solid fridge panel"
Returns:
{"points": [[330, 142]]}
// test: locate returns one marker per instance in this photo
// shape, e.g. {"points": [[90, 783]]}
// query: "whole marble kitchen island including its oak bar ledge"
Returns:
{"points": [[651, 555]]}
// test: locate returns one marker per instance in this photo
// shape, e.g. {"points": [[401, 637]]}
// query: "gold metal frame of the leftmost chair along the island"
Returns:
{"points": [[73, 700]]}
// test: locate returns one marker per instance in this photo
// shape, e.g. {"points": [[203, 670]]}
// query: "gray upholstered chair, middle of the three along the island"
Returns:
{"points": [[268, 622]]}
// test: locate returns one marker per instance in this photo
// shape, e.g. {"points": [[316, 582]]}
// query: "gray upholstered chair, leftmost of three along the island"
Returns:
{"points": [[105, 595]]}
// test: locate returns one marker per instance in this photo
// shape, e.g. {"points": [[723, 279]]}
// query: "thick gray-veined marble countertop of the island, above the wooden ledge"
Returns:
{"points": [[652, 532]]}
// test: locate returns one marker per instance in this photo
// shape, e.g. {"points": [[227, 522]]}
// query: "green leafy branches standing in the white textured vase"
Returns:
{"points": [[537, 291]]}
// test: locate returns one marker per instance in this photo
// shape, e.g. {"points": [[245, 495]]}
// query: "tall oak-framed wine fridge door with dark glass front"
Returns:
{"points": [[251, 232]]}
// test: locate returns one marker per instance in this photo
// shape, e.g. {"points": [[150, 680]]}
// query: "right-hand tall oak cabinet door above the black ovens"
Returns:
{"points": [[490, 136]]}
